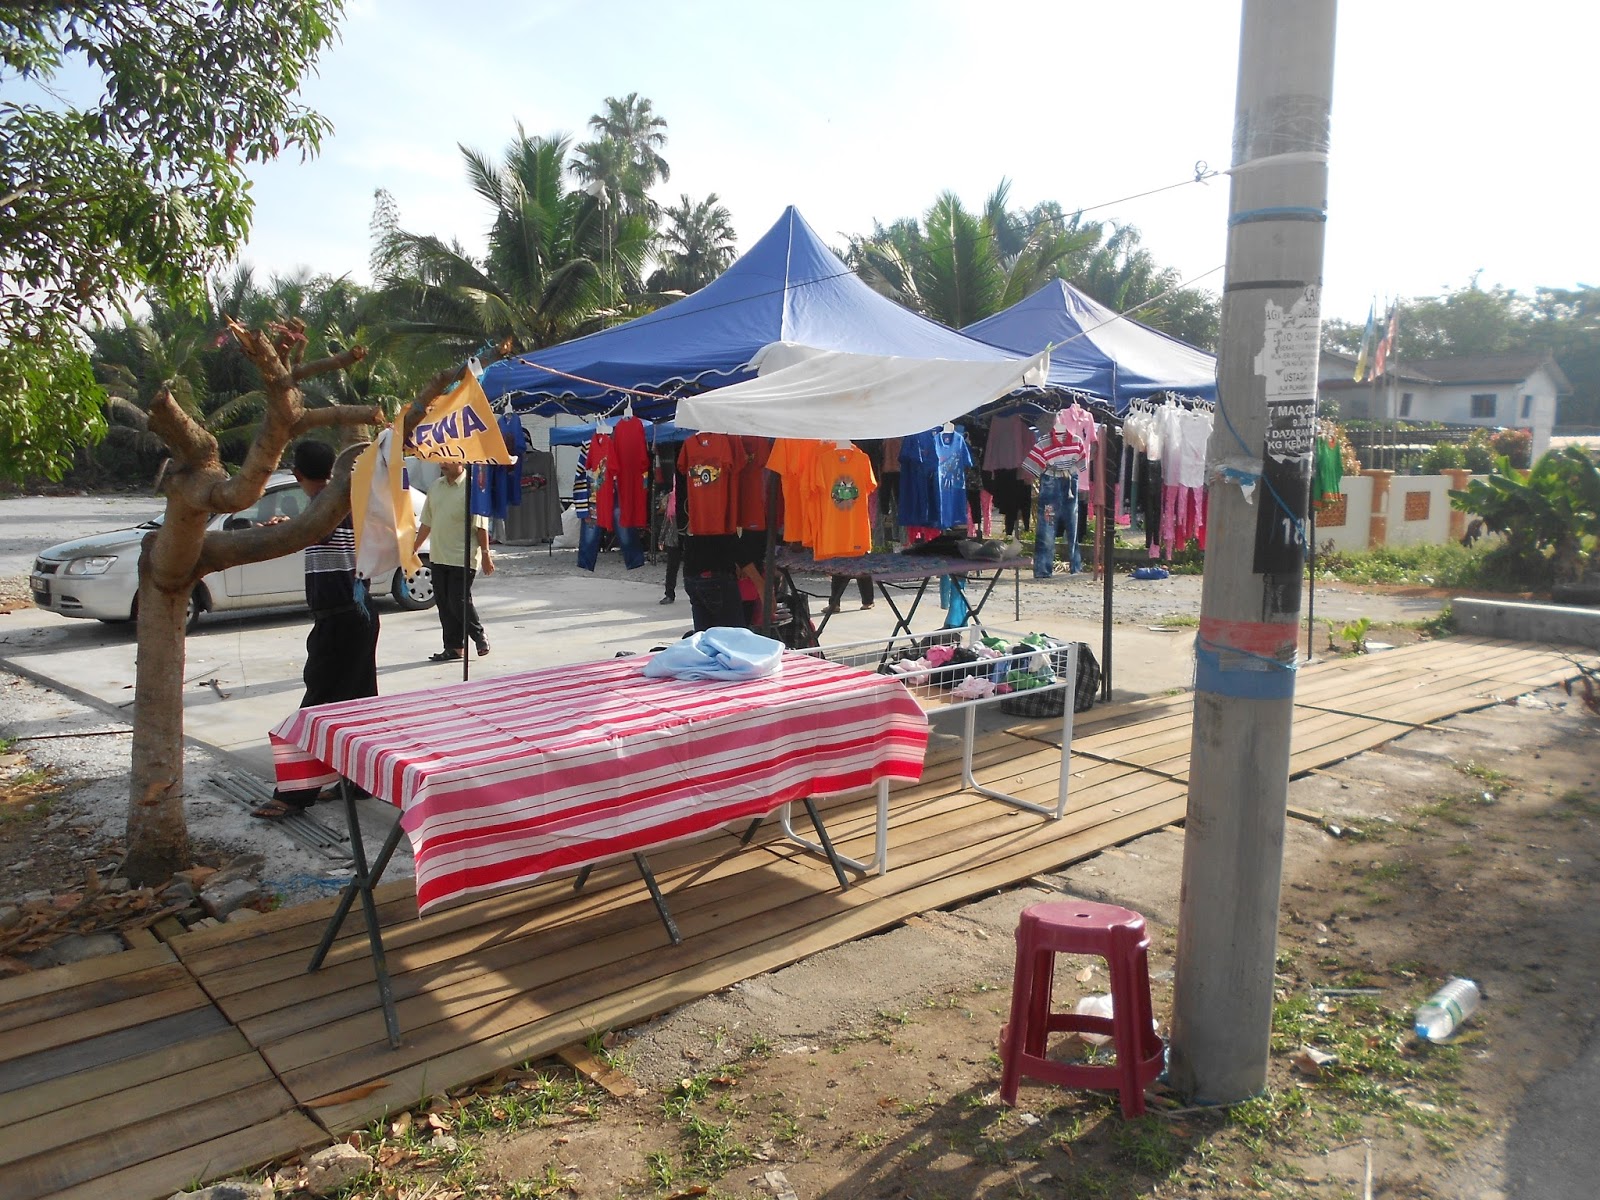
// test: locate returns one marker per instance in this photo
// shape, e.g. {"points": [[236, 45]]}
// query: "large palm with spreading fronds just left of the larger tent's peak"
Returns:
{"points": [[554, 266]]}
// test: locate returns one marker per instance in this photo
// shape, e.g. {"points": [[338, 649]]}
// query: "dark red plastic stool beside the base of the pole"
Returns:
{"points": [[1079, 927]]}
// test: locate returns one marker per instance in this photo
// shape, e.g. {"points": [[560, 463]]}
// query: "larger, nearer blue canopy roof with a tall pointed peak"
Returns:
{"points": [[788, 287]]}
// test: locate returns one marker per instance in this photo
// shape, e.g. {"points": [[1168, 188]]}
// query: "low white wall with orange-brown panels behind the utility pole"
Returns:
{"points": [[1380, 508]]}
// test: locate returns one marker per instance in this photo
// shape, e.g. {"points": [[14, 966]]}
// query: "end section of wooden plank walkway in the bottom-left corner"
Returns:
{"points": [[121, 1078]]}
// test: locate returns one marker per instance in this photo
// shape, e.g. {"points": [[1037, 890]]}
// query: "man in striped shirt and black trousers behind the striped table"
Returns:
{"points": [[342, 650]]}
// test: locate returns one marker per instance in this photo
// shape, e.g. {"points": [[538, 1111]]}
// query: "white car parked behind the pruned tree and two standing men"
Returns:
{"points": [[100, 577]]}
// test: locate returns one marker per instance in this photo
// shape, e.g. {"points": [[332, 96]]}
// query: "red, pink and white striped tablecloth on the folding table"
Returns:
{"points": [[505, 780]]}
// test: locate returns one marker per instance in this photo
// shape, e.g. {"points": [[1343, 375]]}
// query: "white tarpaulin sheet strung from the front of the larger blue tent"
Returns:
{"points": [[830, 394]]}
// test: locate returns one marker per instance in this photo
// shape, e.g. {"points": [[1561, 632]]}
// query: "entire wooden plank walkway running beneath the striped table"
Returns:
{"points": [[143, 1073]]}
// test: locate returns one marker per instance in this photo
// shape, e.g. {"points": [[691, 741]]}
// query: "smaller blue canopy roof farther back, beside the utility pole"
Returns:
{"points": [[1095, 350]]}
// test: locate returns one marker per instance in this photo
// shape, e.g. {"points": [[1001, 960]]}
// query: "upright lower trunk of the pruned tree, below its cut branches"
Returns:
{"points": [[158, 833]]}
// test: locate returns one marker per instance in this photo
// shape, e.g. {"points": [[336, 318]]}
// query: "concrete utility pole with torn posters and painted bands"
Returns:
{"points": [[1255, 553]]}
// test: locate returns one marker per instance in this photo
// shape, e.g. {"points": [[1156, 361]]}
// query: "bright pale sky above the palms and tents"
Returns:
{"points": [[1460, 130]]}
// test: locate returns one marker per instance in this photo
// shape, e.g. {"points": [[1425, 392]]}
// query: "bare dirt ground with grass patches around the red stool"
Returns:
{"points": [[1466, 849]]}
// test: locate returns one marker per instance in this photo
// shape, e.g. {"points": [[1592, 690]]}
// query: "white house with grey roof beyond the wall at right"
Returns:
{"points": [[1497, 391]]}
